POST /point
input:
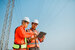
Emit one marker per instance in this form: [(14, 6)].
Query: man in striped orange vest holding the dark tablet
[(33, 45)]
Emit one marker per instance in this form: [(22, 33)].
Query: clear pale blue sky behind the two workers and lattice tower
[(56, 17)]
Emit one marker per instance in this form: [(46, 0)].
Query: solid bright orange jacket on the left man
[(20, 34)]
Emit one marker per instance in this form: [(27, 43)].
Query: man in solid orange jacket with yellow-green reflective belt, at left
[(20, 40)]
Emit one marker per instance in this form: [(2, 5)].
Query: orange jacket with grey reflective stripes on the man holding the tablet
[(34, 43)]
